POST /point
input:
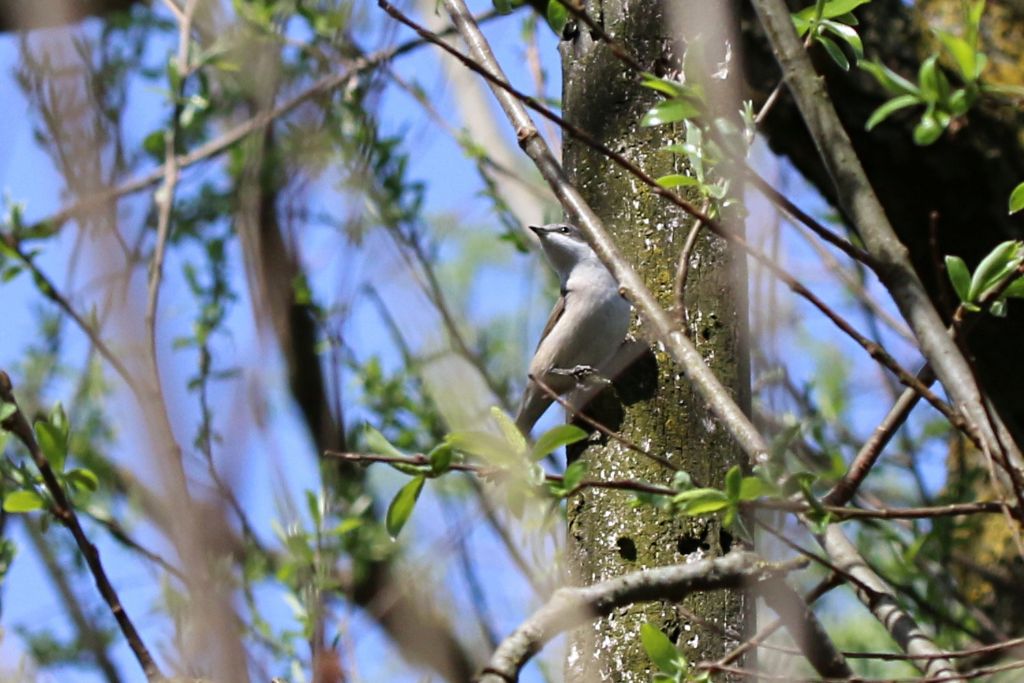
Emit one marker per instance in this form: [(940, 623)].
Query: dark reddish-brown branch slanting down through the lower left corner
[(65, 513)]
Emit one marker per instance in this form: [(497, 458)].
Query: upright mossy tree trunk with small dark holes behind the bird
[(657, 407)]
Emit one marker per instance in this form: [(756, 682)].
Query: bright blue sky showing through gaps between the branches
[(268, 471)]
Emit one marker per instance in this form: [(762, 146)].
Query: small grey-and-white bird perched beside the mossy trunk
[(586, 328)]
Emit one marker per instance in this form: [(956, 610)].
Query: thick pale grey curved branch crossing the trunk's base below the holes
[(572, 607)]
